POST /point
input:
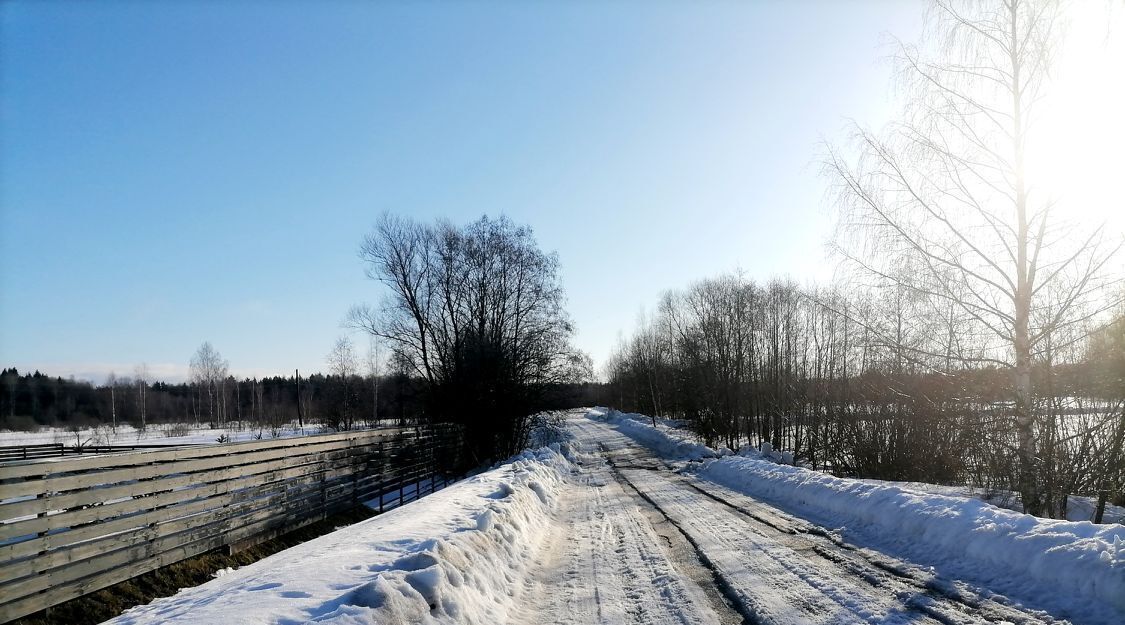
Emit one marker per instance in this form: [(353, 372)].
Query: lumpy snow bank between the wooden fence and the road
[(458, 556)]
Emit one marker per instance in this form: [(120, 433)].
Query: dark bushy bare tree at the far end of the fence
[(476, 313)]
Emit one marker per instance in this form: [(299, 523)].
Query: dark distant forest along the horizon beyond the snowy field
[(32, 401)]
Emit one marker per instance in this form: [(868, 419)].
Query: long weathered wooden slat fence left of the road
[(71, 527)]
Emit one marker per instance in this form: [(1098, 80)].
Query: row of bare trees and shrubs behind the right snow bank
[(854, 383)]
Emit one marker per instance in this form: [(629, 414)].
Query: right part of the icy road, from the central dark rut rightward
[(785, 569)]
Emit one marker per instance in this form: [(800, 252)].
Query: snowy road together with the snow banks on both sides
[(618, 522)]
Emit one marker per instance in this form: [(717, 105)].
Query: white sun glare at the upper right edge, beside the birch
[(1077, 149)]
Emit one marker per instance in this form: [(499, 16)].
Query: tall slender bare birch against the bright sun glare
[(946, 193)]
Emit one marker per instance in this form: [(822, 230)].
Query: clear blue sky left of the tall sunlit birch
[(178, 173)]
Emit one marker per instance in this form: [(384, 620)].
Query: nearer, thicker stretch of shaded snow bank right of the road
[(988, 544)]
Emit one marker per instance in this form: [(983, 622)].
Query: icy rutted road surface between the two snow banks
[(770, 567)]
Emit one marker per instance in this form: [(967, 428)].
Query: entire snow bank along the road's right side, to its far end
[(1056, 561)]
